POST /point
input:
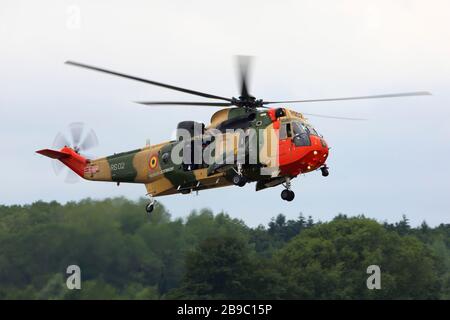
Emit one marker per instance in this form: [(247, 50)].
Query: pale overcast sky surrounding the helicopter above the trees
[(396, 163)]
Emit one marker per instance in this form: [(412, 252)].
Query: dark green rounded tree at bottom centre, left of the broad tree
[(226, 268)]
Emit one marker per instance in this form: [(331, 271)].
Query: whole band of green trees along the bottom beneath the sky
[(124, 254)]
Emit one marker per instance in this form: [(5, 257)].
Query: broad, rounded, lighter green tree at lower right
[(329, 261)]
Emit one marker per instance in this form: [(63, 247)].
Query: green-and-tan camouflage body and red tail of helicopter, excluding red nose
[(154, 166)]
